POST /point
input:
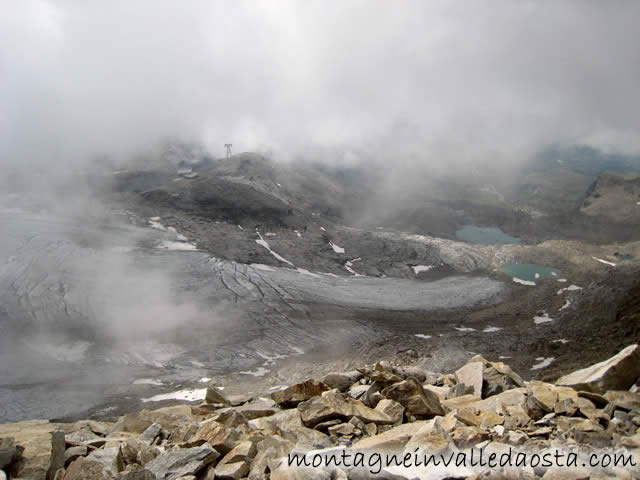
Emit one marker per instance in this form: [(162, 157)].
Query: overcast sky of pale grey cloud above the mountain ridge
[(440, 82)]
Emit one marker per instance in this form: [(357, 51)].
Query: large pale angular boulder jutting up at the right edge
[(617, 373)]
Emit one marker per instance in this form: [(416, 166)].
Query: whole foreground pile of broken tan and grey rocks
[(373, 410)]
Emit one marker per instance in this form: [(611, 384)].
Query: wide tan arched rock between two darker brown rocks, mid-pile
[(333, 405)]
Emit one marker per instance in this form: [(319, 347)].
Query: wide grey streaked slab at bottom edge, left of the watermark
[(179, 462)]
